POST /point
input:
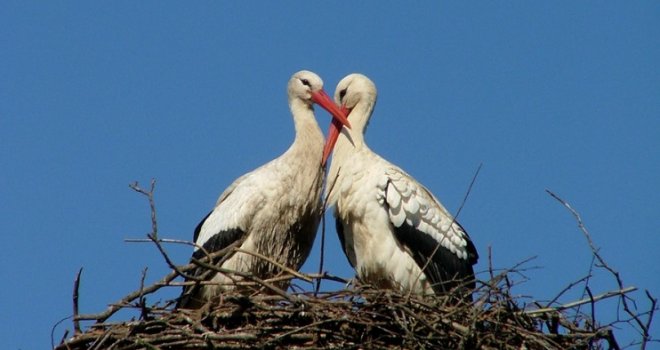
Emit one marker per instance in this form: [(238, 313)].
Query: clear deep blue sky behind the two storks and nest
[(93, 96)]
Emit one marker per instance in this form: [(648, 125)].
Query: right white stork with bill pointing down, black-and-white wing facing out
[(394, 232)]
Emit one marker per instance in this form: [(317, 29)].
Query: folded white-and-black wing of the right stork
[(426, 228)]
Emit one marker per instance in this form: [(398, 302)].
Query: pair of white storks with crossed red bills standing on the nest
[(394, 232)]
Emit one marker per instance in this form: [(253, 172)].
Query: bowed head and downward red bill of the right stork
[(356, 94)]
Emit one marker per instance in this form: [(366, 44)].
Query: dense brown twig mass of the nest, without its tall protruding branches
[(357, 318)]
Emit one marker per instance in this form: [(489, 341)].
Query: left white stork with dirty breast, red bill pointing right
[(275, 208)]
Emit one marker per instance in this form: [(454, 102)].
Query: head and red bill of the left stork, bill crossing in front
[(306, 86)]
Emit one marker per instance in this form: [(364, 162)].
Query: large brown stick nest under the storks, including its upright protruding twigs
[(358, 317)]
